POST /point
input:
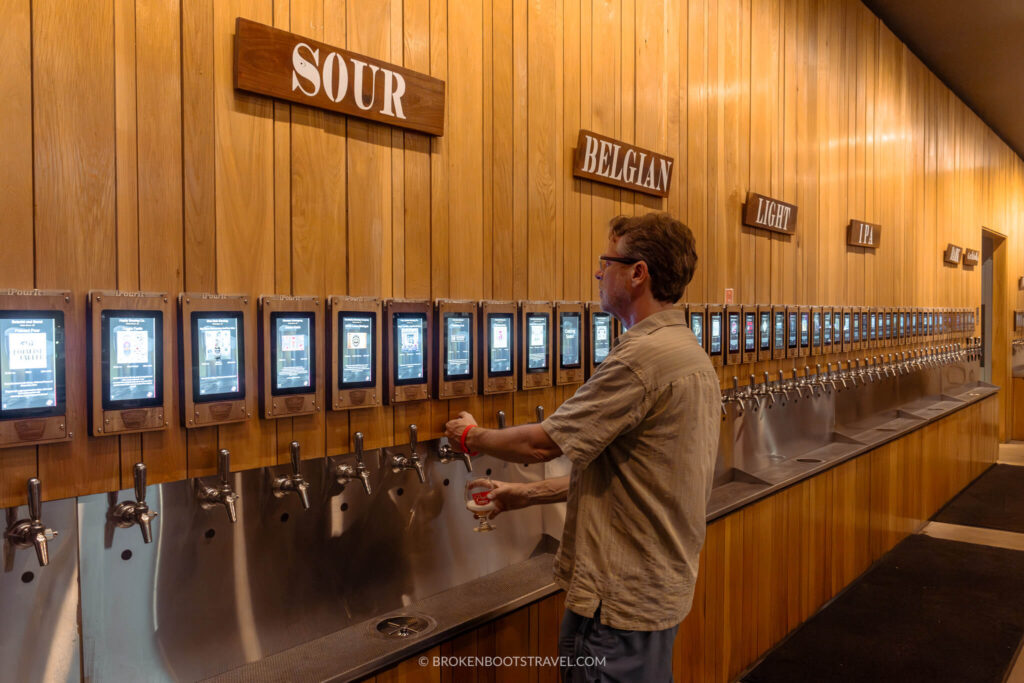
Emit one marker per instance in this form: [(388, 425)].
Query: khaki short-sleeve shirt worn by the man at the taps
[(643, 437)]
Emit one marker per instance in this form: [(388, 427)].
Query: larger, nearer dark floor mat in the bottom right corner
[(930, 611)]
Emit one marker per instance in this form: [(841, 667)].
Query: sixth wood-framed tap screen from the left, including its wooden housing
[(408, 359)]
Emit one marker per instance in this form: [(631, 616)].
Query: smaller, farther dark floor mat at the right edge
[(996, 500)]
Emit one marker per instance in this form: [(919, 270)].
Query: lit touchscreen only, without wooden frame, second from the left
[(133, 359)]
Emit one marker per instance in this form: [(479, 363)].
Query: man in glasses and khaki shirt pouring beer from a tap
[(643, 437)]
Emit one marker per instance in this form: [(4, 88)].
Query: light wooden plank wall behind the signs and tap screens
[(124, 120)]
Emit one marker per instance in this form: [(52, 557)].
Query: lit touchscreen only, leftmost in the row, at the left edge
[(32, 362)]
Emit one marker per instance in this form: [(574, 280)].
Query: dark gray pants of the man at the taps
[(630, 657)]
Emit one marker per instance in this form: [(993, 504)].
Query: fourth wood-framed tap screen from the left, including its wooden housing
[(291, 331)]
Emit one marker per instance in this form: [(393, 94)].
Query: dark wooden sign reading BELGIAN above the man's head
[(615, 163)]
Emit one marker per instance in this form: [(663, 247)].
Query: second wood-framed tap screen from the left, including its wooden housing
[(123, 325)]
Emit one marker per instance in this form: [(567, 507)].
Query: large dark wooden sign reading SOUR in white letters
[(275, 63)]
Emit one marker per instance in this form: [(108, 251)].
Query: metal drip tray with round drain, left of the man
[(364, 649)]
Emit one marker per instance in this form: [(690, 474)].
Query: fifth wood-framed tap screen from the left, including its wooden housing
[(354, 332)]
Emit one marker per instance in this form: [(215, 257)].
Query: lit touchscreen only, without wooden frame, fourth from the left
[(292, 354)]
